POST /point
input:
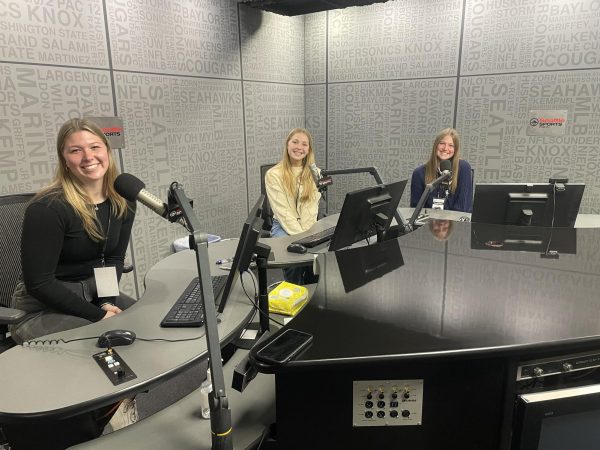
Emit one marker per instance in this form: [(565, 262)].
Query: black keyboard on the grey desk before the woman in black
[(187, 310)]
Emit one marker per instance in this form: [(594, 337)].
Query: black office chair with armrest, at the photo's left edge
[(12, 210)]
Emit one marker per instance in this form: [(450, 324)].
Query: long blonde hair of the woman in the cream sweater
[(290, 182)]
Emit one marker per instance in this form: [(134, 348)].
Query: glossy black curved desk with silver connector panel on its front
[(449, 322)]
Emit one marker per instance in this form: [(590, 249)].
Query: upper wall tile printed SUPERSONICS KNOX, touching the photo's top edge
[(394, 40)]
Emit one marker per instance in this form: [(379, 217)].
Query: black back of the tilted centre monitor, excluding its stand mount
[(355, 208)]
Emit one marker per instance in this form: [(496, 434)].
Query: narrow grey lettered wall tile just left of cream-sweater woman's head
[(272, 110)]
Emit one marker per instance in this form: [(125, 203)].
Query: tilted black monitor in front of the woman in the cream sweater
[(367, 212)]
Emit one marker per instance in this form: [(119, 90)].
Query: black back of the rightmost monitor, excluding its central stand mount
[(491, 203)]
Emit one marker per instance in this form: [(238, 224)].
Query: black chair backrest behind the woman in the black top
[(12, 210)]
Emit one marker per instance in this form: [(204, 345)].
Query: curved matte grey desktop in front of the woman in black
[(56, 381)]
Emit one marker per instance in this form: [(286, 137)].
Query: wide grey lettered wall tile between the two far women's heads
[(387, 124)]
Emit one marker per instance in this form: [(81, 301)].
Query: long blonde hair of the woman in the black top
[(67, 185)]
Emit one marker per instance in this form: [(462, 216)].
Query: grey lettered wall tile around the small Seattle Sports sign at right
[(493, 115)]
